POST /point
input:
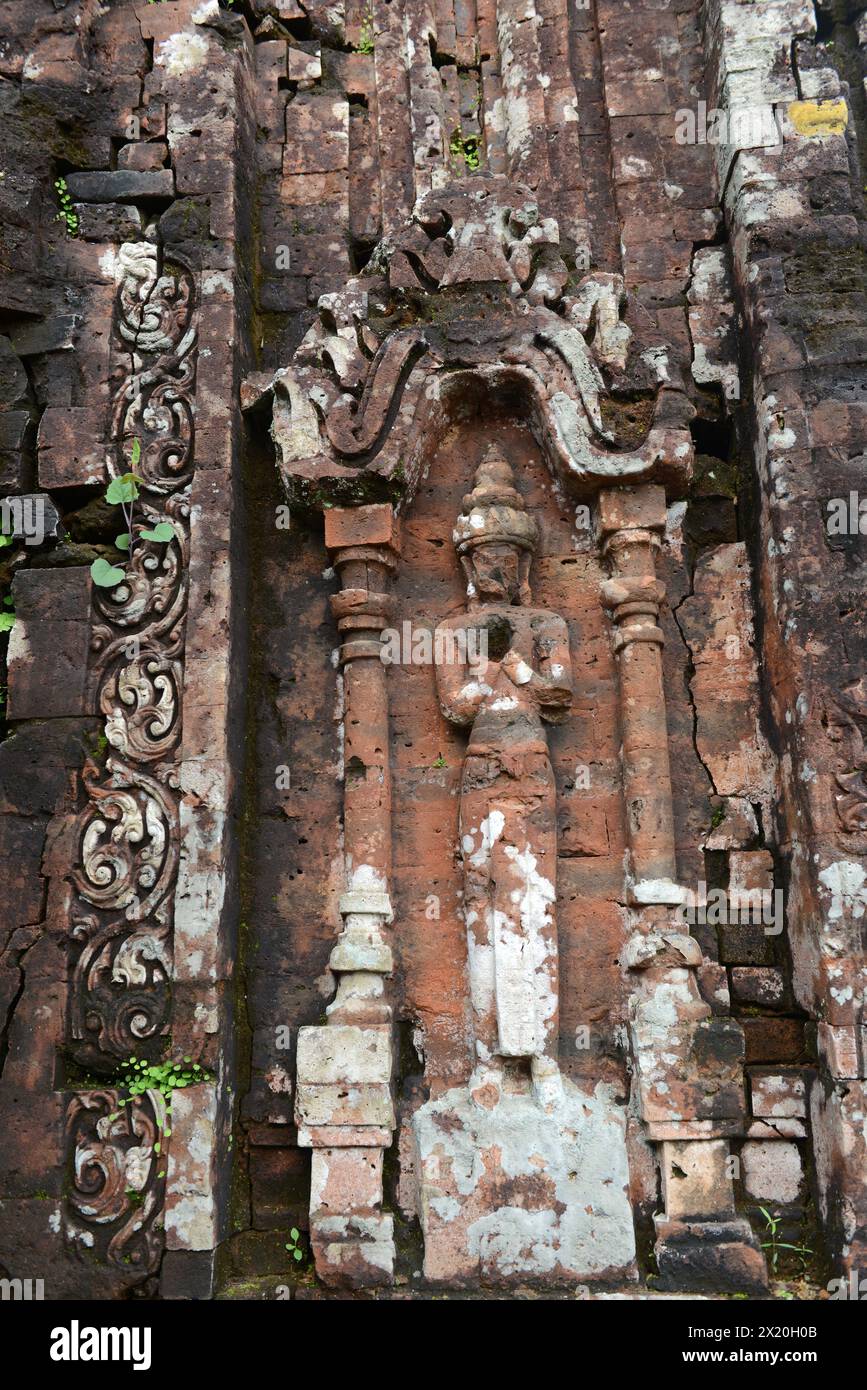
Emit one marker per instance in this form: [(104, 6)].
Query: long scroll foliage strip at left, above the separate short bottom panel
[(129, 829)]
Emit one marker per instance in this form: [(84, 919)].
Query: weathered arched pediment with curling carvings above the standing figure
[(474, 293)]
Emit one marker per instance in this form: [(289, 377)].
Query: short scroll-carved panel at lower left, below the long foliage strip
[(116, 1186)]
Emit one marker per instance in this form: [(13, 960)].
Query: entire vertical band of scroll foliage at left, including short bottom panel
[(129, 829)]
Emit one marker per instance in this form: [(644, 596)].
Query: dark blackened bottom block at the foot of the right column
[(709, 1257)]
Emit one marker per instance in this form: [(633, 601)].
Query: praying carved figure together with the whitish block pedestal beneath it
[(522, 1175)]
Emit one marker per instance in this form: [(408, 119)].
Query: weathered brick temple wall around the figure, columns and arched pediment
[(256, 155)]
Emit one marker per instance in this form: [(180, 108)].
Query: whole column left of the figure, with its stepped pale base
[(344, 1100)]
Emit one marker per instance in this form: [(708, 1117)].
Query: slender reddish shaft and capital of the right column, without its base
[(631, 522)]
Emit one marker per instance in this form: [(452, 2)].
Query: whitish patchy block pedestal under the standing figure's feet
[(525, 1191)]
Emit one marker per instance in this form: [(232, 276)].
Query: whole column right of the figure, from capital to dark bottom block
[(688, 1065)]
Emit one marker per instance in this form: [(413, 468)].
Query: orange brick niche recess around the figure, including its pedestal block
[(511, 1188)]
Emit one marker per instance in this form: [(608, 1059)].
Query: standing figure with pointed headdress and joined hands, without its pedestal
[(508, 807)]
